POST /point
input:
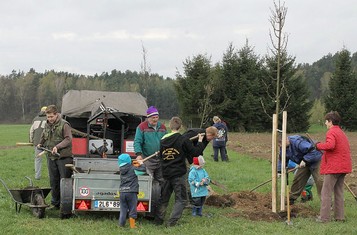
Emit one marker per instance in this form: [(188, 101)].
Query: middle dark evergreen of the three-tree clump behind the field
[(240, 75)]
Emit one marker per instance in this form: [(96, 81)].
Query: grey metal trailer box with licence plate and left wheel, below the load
[(94, 186)]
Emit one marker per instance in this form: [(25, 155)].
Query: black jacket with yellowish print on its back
[(174, 149)]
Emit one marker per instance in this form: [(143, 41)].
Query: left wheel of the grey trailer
[(66, 197)]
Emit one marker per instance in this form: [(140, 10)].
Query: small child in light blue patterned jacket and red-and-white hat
[(198, 179)]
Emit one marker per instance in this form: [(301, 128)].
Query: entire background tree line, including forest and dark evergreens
[(240, 89)]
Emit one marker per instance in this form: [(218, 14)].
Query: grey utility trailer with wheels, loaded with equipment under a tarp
[(104, 125)]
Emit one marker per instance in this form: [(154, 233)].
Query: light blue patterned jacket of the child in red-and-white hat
[(194, 178)]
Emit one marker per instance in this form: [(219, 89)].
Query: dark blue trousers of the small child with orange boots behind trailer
[(128, 202)]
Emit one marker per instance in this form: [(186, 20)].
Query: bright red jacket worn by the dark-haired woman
[(337, 156)]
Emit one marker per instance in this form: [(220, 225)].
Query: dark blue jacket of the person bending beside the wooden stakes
[(301, 148)]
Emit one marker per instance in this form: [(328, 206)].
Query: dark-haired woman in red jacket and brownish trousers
[(335, 164)]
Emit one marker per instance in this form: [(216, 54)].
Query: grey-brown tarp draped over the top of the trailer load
[(85, 103)]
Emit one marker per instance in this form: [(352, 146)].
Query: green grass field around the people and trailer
[(242, 173)]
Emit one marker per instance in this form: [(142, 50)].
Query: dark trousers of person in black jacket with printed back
[(178, 186)]
